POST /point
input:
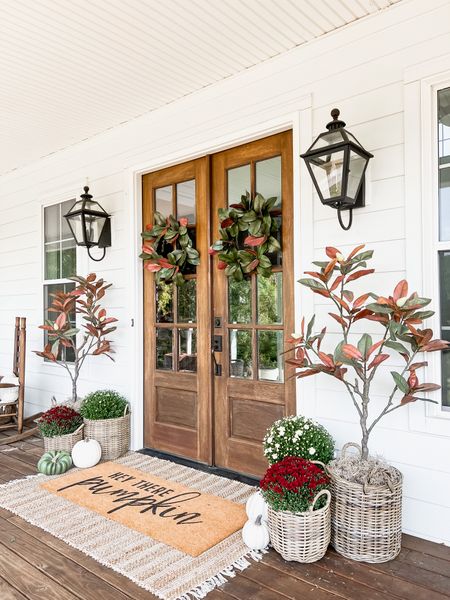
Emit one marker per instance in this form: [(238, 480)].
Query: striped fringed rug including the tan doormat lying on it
[(180, 567)]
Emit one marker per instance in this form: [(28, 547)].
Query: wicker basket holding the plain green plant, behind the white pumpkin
[(113, 435)]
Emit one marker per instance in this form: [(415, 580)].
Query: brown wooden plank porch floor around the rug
[(35, 565)]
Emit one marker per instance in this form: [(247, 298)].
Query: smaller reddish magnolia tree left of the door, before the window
[(84, 300)]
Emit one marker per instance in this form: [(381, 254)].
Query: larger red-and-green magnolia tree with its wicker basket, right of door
[(366, 508)]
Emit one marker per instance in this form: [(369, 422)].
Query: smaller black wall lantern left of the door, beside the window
[(90, 224)]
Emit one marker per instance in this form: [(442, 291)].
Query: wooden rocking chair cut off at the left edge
[(11, 414)]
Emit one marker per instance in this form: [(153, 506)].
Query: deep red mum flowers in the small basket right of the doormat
[(293, 483)]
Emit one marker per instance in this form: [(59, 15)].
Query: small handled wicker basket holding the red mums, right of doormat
[(303, 537)]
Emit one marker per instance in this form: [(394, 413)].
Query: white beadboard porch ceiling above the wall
[(71, 69)]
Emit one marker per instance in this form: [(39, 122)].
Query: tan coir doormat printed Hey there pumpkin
[(167, 511)]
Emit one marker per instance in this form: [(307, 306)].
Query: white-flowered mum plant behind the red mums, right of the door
[(298, 436)]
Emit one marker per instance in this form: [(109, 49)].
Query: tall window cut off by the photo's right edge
[(443, 181)]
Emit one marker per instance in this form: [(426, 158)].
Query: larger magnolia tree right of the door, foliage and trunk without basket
[(400, 316)]
